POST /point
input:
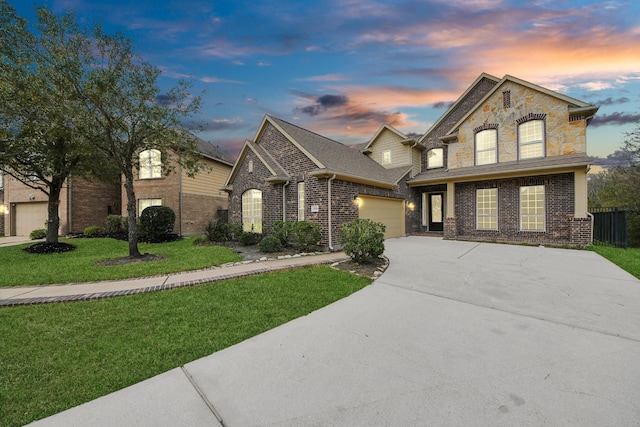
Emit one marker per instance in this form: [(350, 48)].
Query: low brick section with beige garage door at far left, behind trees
[(82, 203)]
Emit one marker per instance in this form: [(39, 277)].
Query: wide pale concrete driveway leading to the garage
[(454, 333)]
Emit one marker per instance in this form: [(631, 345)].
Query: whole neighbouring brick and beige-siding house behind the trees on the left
[(83, 203)]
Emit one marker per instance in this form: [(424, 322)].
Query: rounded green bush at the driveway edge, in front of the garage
[(362, 239)]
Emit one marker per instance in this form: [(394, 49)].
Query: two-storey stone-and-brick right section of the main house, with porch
[(514, 166)]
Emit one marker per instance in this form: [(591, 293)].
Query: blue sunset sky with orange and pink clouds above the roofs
[(342, 68)]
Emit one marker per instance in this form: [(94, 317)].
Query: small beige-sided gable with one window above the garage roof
[(392, 149)]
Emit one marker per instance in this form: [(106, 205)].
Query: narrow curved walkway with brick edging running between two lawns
[(27, 295)]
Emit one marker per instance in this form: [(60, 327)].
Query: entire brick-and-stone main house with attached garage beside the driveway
[(506, 162)]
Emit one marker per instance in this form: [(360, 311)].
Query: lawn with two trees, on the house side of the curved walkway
[(21, 268)]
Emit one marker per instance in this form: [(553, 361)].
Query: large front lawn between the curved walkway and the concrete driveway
[(57, 356)]
